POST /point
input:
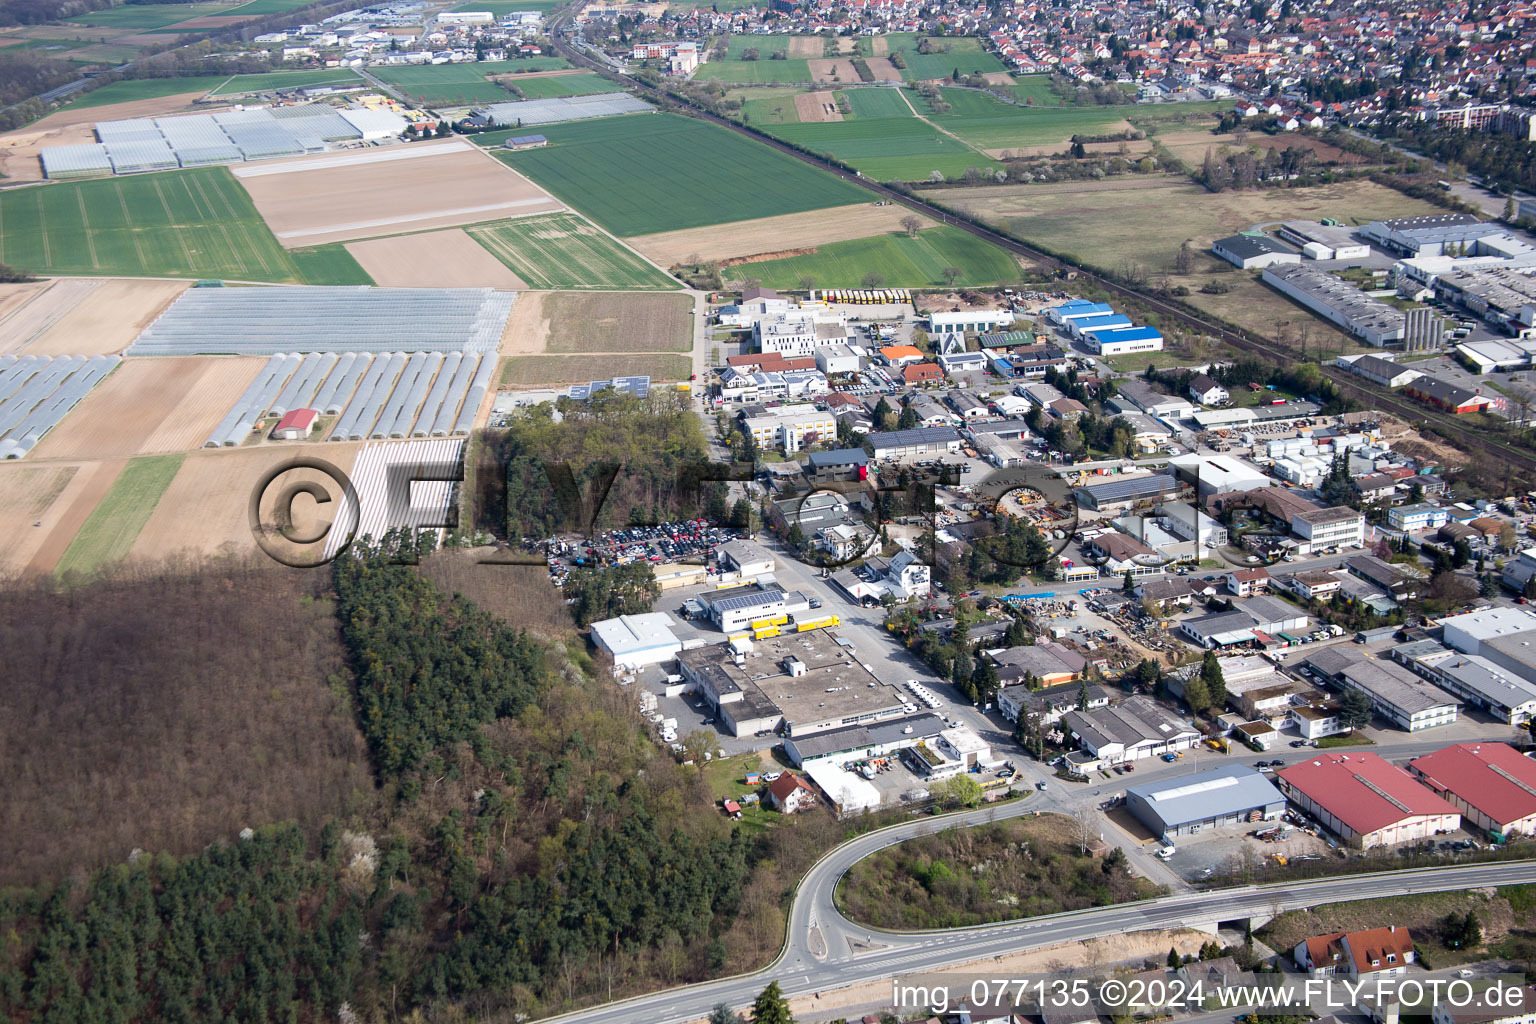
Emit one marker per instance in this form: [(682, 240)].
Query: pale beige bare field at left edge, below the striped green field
[(88, 317)]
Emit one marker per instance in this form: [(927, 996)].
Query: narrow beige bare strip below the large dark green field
[(773, 234)]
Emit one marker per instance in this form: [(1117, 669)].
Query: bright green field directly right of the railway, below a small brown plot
[(887, 148)]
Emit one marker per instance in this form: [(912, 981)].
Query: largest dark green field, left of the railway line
[(655, 173)]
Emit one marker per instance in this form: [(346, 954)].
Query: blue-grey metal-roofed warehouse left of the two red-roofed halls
[(1225, 796)]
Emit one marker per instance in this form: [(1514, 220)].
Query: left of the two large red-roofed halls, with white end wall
[(1366, 802)]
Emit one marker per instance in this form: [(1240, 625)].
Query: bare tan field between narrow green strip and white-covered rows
[(205, 510)]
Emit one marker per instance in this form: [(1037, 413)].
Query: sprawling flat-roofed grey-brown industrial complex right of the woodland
[(801, 682)]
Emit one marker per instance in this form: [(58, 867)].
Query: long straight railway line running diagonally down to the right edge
[(1254, 345)]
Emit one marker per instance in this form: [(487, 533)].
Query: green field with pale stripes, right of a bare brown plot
[(561, 251)]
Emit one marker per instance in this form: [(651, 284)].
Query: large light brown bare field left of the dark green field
[(345, 197)]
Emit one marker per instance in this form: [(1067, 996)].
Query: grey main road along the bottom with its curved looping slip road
[(826, 951)]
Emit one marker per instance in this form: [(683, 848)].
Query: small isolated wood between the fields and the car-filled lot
[(634, 448)]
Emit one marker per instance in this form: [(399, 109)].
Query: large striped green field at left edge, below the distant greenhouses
[(179, 223)]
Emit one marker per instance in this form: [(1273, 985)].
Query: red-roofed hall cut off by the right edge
[(1491, 784)]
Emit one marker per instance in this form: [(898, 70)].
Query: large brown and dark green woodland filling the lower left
[(448, 814)]
